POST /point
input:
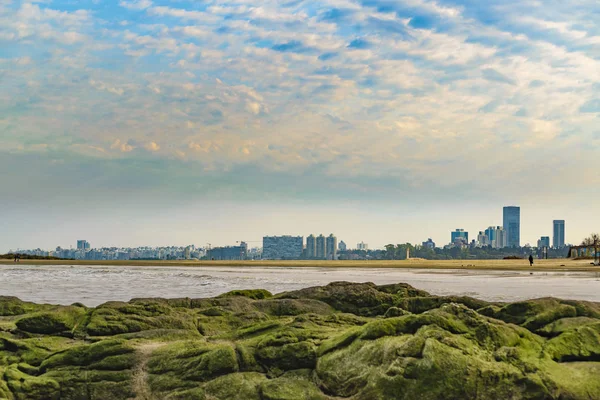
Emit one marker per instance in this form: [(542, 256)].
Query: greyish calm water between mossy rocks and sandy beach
[(93, 285)]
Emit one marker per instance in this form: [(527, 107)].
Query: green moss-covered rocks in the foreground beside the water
[(343, 340)]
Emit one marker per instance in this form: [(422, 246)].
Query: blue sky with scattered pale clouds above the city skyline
[(180, 122)]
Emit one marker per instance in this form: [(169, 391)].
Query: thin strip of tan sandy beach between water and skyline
[(556, 265)]
